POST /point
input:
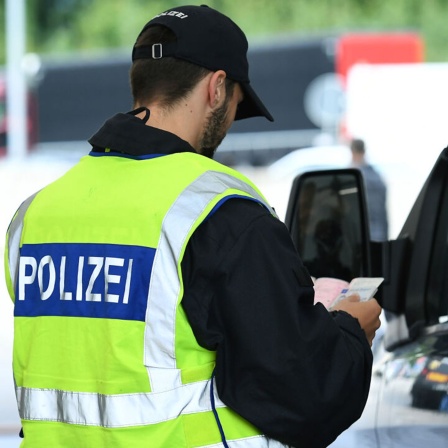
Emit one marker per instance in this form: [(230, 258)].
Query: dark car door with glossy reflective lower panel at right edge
[(413, 393)]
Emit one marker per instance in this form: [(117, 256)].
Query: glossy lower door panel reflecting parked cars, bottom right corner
[(413, 402)]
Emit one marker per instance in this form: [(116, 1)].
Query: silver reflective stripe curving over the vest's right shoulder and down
[(165, 284)]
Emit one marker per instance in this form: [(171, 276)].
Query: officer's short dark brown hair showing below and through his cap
[(166, 79)]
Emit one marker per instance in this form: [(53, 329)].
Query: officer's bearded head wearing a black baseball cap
[(185, 46)]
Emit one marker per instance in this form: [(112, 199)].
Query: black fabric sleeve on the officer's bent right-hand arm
[(294, 370)]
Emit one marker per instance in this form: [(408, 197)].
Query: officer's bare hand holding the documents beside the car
[(367, 313)]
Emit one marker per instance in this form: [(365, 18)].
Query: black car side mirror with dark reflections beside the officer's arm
[(327, 220)]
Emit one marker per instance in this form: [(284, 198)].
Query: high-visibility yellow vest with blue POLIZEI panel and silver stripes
[(103, 353)]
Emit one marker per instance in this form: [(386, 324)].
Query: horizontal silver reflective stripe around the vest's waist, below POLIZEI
[(113, 411)]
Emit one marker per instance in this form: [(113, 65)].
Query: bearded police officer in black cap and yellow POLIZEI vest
[(159, 301)]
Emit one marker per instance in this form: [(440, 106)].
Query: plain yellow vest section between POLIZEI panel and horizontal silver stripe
[(81, 359)]
